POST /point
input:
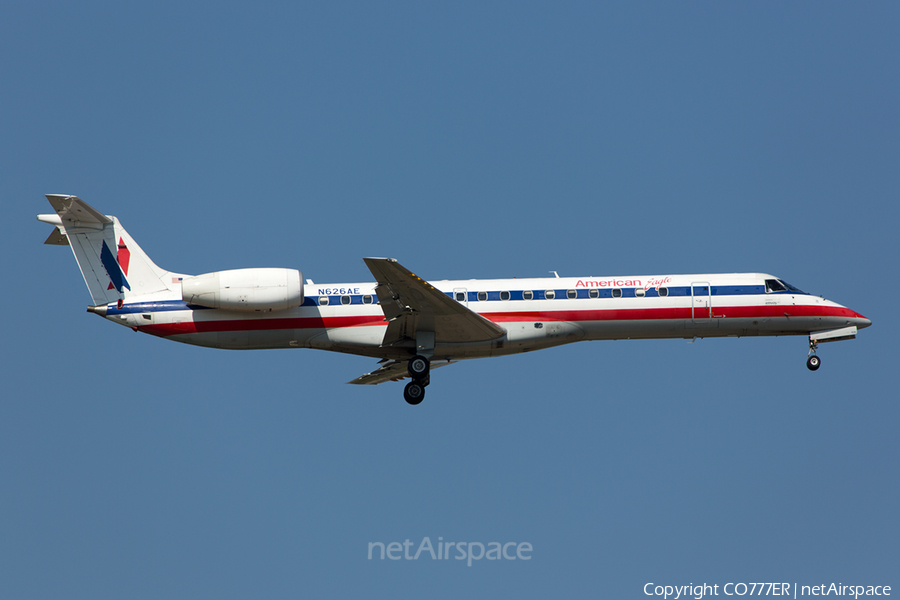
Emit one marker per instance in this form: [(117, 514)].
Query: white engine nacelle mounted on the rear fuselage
[(245, 289)]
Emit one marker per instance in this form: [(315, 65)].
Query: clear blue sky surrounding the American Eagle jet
[(467, 141)]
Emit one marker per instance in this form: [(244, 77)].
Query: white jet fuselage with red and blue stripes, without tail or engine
[(535, 313)]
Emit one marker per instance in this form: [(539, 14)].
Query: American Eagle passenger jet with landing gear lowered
[(413, 325)]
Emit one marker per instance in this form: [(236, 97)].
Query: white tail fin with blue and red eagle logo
[(114, 267)]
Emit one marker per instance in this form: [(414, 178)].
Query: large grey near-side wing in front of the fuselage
[(412, 305)]
